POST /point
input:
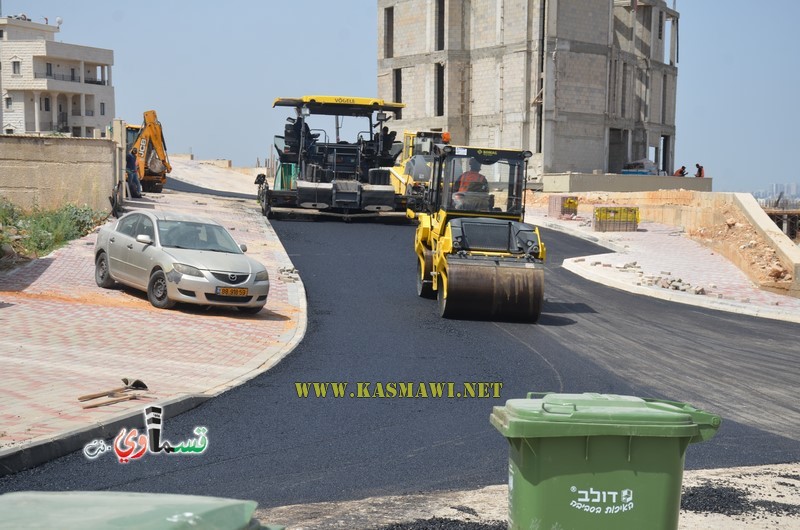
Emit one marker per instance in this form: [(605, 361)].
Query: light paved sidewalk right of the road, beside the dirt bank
[(656, 253)]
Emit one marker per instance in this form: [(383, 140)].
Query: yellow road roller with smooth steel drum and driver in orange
[(474, 252)]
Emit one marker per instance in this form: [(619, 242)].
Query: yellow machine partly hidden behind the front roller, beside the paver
[(411, 175)]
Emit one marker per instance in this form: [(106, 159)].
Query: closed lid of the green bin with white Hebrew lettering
[(590, 414)]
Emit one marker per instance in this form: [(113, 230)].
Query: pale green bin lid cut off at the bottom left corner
[(114, 509)]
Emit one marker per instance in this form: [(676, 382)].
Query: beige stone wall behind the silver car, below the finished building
[(50, 172)]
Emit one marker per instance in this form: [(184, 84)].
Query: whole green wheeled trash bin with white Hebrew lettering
[(594, 461)]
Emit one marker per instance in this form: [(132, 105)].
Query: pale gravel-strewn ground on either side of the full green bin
[(726, 499)]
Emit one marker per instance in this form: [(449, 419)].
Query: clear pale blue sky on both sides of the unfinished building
[(212, 69)]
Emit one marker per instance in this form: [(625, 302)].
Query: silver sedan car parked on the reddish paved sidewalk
[(179, 258)]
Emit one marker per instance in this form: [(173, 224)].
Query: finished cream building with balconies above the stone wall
[(48, 86)]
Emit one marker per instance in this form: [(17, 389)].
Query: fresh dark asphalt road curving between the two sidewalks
[(367, 325)]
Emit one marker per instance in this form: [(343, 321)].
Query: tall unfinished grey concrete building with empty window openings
[(586, 85)]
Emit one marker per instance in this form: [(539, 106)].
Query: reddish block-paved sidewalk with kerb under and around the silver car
[(65, 337)]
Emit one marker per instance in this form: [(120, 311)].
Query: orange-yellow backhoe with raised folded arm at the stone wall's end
[(151, 152)]
